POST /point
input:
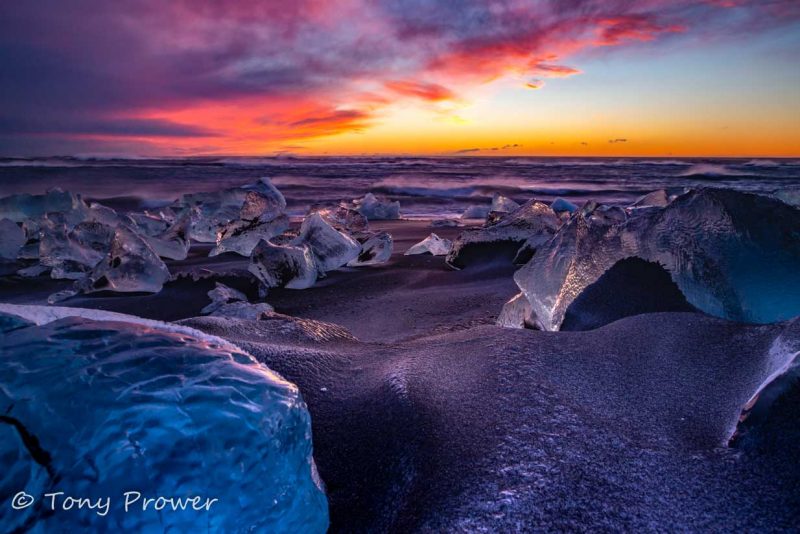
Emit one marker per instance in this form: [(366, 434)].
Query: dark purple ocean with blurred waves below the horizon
[(425, 187)]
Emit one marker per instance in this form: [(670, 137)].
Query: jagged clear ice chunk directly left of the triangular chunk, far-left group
[(73, 253)]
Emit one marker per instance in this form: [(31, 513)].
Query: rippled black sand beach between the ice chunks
[(429, 418)]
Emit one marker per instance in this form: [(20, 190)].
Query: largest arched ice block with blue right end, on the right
[(733, 255)]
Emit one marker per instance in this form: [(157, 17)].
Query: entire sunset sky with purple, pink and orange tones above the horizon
[(354, 77)]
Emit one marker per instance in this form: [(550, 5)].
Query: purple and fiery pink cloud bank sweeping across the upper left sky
[(178, 75)]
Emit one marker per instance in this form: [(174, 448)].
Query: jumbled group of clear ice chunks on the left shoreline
[(102, 250)]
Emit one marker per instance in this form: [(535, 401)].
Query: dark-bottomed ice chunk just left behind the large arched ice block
[(530, 225)]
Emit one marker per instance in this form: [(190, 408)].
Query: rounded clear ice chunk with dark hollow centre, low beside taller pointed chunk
[(288, 266)]
